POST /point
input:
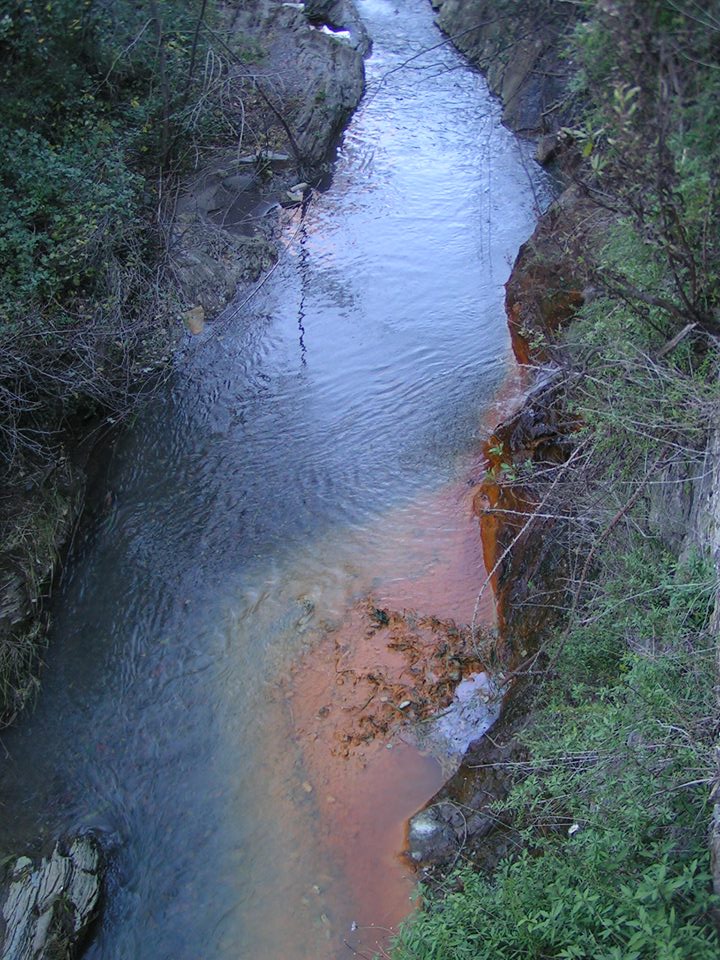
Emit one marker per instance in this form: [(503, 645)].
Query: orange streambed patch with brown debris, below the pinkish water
[(349, 699)]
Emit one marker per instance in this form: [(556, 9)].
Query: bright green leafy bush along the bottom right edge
[(578, 904)]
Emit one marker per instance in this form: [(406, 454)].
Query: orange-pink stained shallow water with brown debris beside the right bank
[(395, 656)]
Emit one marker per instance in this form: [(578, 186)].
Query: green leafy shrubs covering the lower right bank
[(612, 815)]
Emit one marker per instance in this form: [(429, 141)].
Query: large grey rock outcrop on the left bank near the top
[(298, 100)]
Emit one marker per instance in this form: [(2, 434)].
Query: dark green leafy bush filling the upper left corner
[(97, 112)]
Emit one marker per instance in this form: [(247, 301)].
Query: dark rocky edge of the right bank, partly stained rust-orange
[(520, 55)]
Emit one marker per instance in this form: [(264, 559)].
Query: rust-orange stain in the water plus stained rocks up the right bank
[(403, 644)]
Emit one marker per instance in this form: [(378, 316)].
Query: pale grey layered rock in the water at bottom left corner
[(47, 908)]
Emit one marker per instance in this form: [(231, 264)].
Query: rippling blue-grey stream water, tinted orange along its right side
[(314, 447)]
